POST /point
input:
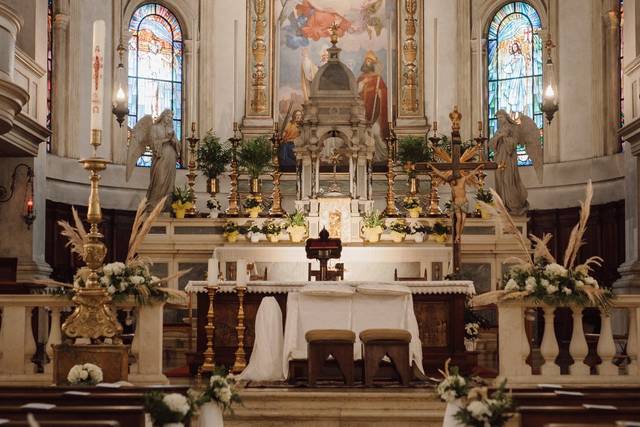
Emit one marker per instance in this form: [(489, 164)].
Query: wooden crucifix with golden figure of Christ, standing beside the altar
[(458, 170)]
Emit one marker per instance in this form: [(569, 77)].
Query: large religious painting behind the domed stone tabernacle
[(363, 29)]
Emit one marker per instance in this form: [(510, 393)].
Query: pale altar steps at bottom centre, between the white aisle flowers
[(333, 407)]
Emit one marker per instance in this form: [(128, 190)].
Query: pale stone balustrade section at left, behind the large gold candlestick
[(18, 345)]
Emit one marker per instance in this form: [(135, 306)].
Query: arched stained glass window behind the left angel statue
[(155, 67)]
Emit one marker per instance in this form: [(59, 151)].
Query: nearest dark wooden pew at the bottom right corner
[(536, 416)]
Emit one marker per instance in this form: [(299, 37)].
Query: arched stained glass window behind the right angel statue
[(514, 59)]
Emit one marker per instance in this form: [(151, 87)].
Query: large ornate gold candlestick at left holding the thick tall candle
[(93, 317)]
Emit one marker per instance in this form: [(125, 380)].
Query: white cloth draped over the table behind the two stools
[(355, 312)]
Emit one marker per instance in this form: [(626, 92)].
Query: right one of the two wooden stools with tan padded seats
[(390, 342)]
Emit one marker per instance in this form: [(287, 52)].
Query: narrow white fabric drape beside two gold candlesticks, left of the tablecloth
[(266, 359)]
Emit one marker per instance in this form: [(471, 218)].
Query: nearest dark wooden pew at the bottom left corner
[(130, 416)]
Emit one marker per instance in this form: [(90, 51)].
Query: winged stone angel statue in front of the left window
[(160, 137)]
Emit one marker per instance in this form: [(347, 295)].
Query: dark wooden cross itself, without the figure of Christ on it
[(458, 163)]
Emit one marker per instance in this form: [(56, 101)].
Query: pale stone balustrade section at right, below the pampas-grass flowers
[(514, 347)]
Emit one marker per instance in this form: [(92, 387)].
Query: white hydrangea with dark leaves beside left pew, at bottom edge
[(168, 410)]
